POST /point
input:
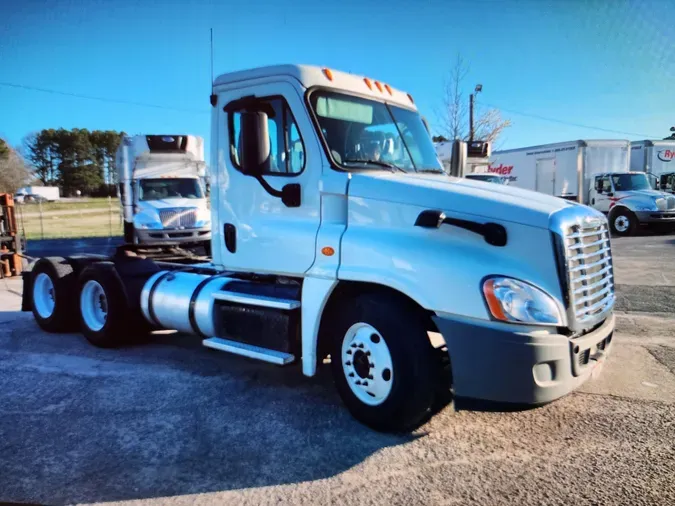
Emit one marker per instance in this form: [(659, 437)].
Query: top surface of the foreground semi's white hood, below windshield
[(487, 200)]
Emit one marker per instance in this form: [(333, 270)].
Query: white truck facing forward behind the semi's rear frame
[(161, 181)]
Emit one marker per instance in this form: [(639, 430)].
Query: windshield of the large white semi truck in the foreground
[(366, 134)]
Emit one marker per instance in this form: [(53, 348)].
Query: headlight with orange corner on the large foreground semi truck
[(514, 301)]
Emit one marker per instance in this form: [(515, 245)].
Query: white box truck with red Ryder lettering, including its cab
[(592, 172)]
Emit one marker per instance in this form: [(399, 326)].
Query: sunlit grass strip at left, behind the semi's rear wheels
[(55, 226)]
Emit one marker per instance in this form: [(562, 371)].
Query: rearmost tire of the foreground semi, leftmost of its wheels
[(53, 290)]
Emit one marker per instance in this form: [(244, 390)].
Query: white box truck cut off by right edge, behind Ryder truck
[(656, 158)]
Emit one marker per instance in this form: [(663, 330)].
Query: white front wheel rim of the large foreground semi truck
[(367, 364)]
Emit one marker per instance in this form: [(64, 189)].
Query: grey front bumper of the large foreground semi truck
[(499, 362)]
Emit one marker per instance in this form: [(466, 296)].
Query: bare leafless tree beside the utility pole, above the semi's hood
[(454, 119)]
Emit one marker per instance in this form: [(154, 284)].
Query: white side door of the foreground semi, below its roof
[(257, 231)]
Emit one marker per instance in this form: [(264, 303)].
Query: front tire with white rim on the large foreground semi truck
[(383, 364)]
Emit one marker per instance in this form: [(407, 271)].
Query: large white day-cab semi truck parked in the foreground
[(325, 253)]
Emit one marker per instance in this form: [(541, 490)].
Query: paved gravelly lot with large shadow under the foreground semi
[(170, 422)]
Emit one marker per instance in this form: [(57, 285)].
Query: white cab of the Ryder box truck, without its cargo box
[(628, 198)]
